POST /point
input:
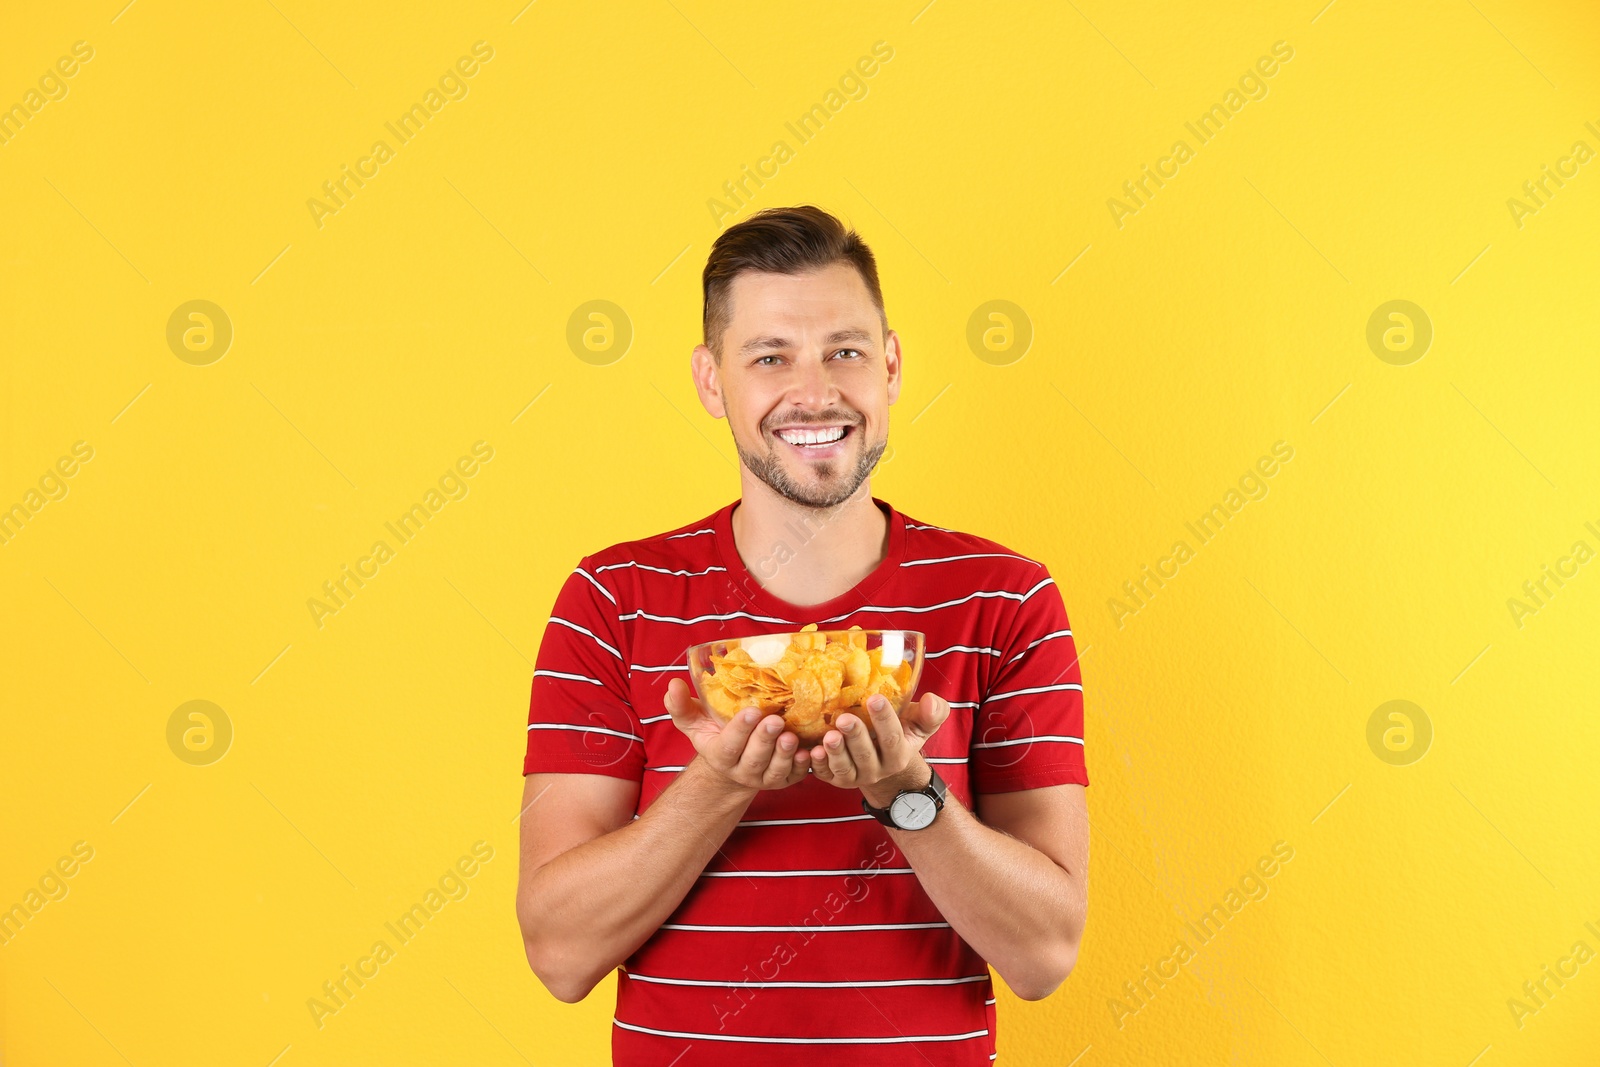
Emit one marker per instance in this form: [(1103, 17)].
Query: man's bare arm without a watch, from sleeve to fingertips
[(596, 884)]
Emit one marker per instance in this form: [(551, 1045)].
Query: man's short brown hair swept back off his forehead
[(780, 241)]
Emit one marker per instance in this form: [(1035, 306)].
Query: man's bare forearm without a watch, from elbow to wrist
[(593, 906)]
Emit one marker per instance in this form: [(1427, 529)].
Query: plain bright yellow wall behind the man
[(428, 314)]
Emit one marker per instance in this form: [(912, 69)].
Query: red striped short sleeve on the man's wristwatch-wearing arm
[(1028, 730)]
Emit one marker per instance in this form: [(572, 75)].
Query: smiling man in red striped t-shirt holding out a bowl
[(754, 909)]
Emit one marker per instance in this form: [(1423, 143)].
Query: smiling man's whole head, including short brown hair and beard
[(798, 345)]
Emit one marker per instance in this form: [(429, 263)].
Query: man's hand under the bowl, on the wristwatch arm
[(850, 759)]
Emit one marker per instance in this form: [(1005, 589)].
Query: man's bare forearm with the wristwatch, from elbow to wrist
[(1009, 901)]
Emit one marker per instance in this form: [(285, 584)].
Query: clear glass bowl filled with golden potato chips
[(810, 676)]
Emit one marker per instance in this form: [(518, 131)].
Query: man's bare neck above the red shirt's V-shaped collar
[(809, 556)]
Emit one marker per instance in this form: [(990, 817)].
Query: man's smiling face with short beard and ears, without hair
[(804, 359)]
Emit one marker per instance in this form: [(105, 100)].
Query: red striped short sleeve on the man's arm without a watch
[(580, 719)]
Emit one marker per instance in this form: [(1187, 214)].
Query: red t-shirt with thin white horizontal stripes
[(809, 935)]
